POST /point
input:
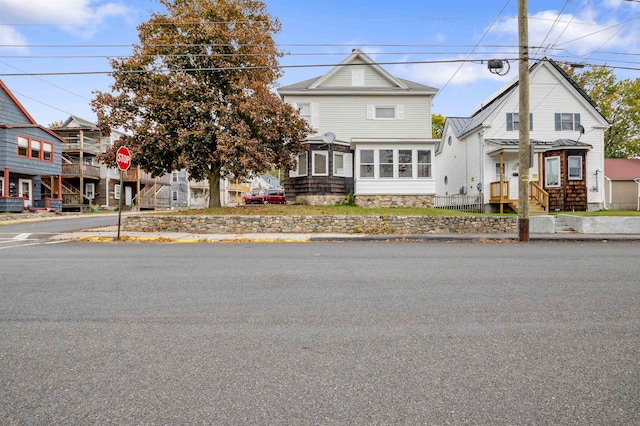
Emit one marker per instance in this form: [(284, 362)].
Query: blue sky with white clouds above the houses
[(419, 40)]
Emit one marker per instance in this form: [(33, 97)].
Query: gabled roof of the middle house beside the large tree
[(315, 84)]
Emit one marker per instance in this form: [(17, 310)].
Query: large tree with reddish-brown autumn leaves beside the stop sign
[(196, 93)]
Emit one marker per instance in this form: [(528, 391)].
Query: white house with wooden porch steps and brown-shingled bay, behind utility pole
[(480, 154)]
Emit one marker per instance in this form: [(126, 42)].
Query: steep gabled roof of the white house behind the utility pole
[(493, 103)]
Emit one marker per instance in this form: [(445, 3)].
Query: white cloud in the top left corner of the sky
[(75, 16)]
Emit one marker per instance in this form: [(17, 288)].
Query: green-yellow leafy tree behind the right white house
[(619, 102)]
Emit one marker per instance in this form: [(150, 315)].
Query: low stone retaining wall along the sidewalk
[(321, 224)]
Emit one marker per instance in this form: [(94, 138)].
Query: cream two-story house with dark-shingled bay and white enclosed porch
[(372, 137)]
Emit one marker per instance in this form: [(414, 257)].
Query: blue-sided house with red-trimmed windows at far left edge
[(30, 160)]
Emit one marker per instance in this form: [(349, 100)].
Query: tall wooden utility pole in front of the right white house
[(523, 116)]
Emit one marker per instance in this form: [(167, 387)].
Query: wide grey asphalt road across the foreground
[(321, 333)]
